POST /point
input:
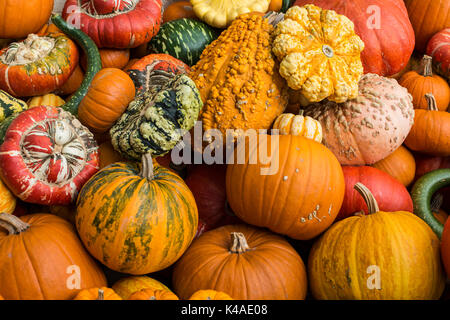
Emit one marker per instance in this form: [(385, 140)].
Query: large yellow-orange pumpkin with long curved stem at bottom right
[(383, 255)]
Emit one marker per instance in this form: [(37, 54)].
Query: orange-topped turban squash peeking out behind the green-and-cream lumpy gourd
[(152, 65)]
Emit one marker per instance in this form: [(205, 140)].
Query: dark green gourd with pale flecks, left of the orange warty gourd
[(184, 39)]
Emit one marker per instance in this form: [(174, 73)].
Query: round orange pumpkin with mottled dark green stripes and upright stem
[(136, 219)]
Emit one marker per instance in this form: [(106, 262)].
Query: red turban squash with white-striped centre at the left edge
[(47, 156)]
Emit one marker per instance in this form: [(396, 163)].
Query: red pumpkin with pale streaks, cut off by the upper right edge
[(439, 49)]
